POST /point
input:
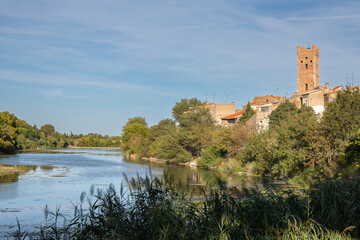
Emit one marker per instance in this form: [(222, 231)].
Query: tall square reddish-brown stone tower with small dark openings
[(308, 69)]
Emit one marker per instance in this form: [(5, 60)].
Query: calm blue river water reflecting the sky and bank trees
[(57, 179)]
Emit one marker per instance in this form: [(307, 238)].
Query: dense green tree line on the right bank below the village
[(299, 144)]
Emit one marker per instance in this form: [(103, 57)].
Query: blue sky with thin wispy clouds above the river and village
[(87, 66)]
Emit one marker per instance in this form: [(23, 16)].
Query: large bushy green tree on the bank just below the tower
[(283, 149)]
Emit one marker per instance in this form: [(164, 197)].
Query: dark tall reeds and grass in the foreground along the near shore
[(153, 208)]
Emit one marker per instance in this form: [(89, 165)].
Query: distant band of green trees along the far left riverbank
[(17, 134)]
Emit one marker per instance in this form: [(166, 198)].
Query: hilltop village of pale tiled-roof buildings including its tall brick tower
[(309, 93)]
